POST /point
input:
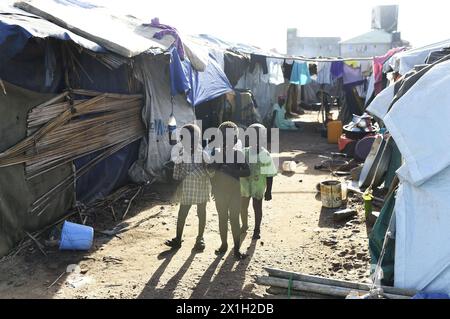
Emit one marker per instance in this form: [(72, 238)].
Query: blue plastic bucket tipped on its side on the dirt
[(76, 237)]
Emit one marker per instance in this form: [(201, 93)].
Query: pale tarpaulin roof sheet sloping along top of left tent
[(119, 33)]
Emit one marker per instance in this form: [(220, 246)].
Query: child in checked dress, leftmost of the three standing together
[(195, 186)]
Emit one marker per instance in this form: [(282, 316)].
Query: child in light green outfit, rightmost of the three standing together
[(259, 184)]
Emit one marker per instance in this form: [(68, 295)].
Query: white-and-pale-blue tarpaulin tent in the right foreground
[(422, 261)]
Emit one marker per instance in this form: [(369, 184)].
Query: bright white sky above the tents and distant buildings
[(263, 23)]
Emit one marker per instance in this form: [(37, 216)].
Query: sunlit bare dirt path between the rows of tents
[(297, 235)]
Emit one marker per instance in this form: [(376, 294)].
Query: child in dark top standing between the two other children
[(226, 187)]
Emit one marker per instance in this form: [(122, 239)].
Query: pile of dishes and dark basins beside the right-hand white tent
[(358, 137)]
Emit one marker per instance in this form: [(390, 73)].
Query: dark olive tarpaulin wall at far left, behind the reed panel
[(17, 193)]
